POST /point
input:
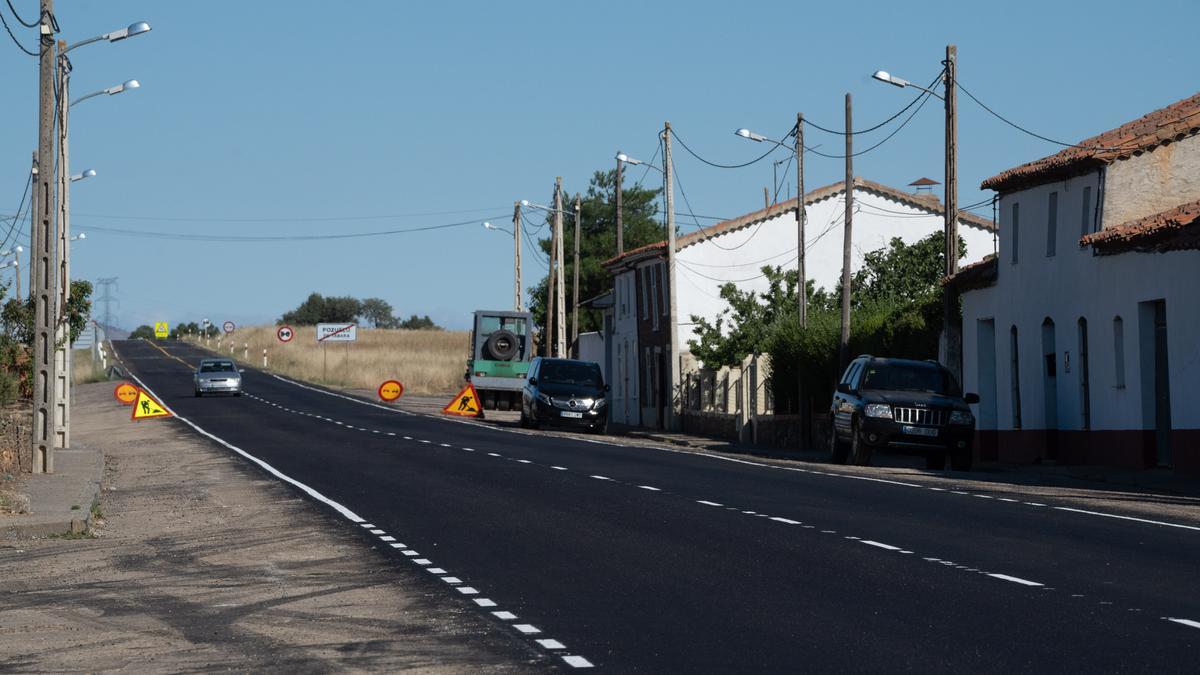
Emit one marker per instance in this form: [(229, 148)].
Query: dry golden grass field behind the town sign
[(425, 362)]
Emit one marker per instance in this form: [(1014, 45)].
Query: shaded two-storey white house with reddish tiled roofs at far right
[(1083, 334)]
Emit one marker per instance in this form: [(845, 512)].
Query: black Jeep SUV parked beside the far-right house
[(901, 404)]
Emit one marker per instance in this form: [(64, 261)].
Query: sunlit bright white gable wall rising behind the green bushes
[(739, 256)]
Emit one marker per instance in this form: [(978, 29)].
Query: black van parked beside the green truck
[(565, 392)]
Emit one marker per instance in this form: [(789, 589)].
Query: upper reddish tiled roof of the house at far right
[(1160, 128)]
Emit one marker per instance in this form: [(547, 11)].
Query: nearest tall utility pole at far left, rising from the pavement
[(43, 256)]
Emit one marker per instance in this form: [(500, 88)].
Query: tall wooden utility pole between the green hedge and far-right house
[(950, 296)]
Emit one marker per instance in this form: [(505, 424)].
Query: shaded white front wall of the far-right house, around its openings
[(1077, 284)]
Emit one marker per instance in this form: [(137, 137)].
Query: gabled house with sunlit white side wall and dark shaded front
[(735, 252)]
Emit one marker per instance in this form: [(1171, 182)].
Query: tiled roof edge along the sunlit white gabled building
[(927, 202)]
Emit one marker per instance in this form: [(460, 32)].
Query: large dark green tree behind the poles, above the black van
[(598, 240)]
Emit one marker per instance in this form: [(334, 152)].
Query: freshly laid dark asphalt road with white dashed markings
[(650, 560)]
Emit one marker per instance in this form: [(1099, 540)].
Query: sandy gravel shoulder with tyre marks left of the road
[(197, 561)]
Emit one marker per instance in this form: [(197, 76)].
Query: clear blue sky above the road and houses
[(273, 112)]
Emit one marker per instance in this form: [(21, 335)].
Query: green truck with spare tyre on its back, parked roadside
[(501, 350)]
